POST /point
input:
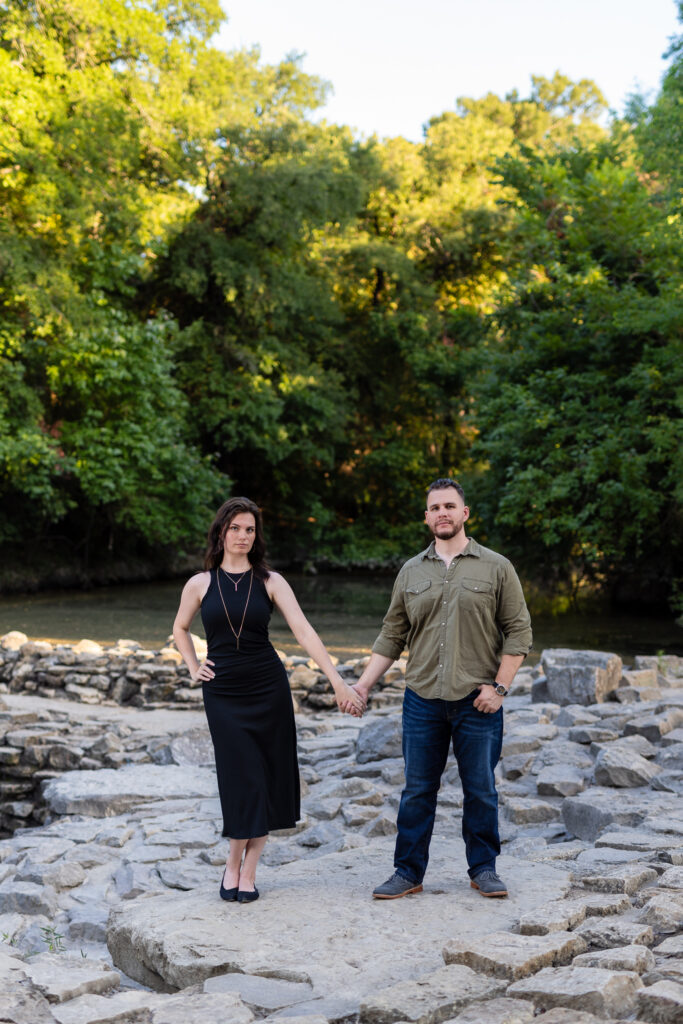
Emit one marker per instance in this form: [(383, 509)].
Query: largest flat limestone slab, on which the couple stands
[(176, 940)]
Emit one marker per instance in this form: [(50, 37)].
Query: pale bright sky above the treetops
[(395, 64)]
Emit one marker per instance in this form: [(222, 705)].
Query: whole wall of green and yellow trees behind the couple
[(205, 291)]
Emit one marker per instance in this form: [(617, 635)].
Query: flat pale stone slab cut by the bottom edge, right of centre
[(431, 999)]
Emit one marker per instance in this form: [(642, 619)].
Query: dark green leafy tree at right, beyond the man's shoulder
[(579, 400)]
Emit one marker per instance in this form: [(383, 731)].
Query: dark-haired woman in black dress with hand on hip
[(246, 691)]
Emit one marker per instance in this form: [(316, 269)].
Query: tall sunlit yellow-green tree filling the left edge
[(112, 117)]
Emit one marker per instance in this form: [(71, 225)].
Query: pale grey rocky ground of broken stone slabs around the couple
[(110, 911)]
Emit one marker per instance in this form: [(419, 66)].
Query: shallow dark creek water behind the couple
[(347, 612)]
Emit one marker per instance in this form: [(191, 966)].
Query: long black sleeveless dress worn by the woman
[(249, 709)]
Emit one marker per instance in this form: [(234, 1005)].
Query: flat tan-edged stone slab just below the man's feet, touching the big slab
[(514, 957)]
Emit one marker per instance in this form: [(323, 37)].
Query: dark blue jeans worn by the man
[(430, 727)]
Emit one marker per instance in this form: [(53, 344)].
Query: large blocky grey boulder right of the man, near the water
[(583, 677)]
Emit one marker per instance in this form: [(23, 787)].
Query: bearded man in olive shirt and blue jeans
[(460, 610)]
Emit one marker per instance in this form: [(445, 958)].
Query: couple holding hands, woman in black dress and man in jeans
[(468, 632)]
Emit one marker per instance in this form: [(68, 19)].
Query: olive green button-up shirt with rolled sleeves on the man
[(456, 622)]
